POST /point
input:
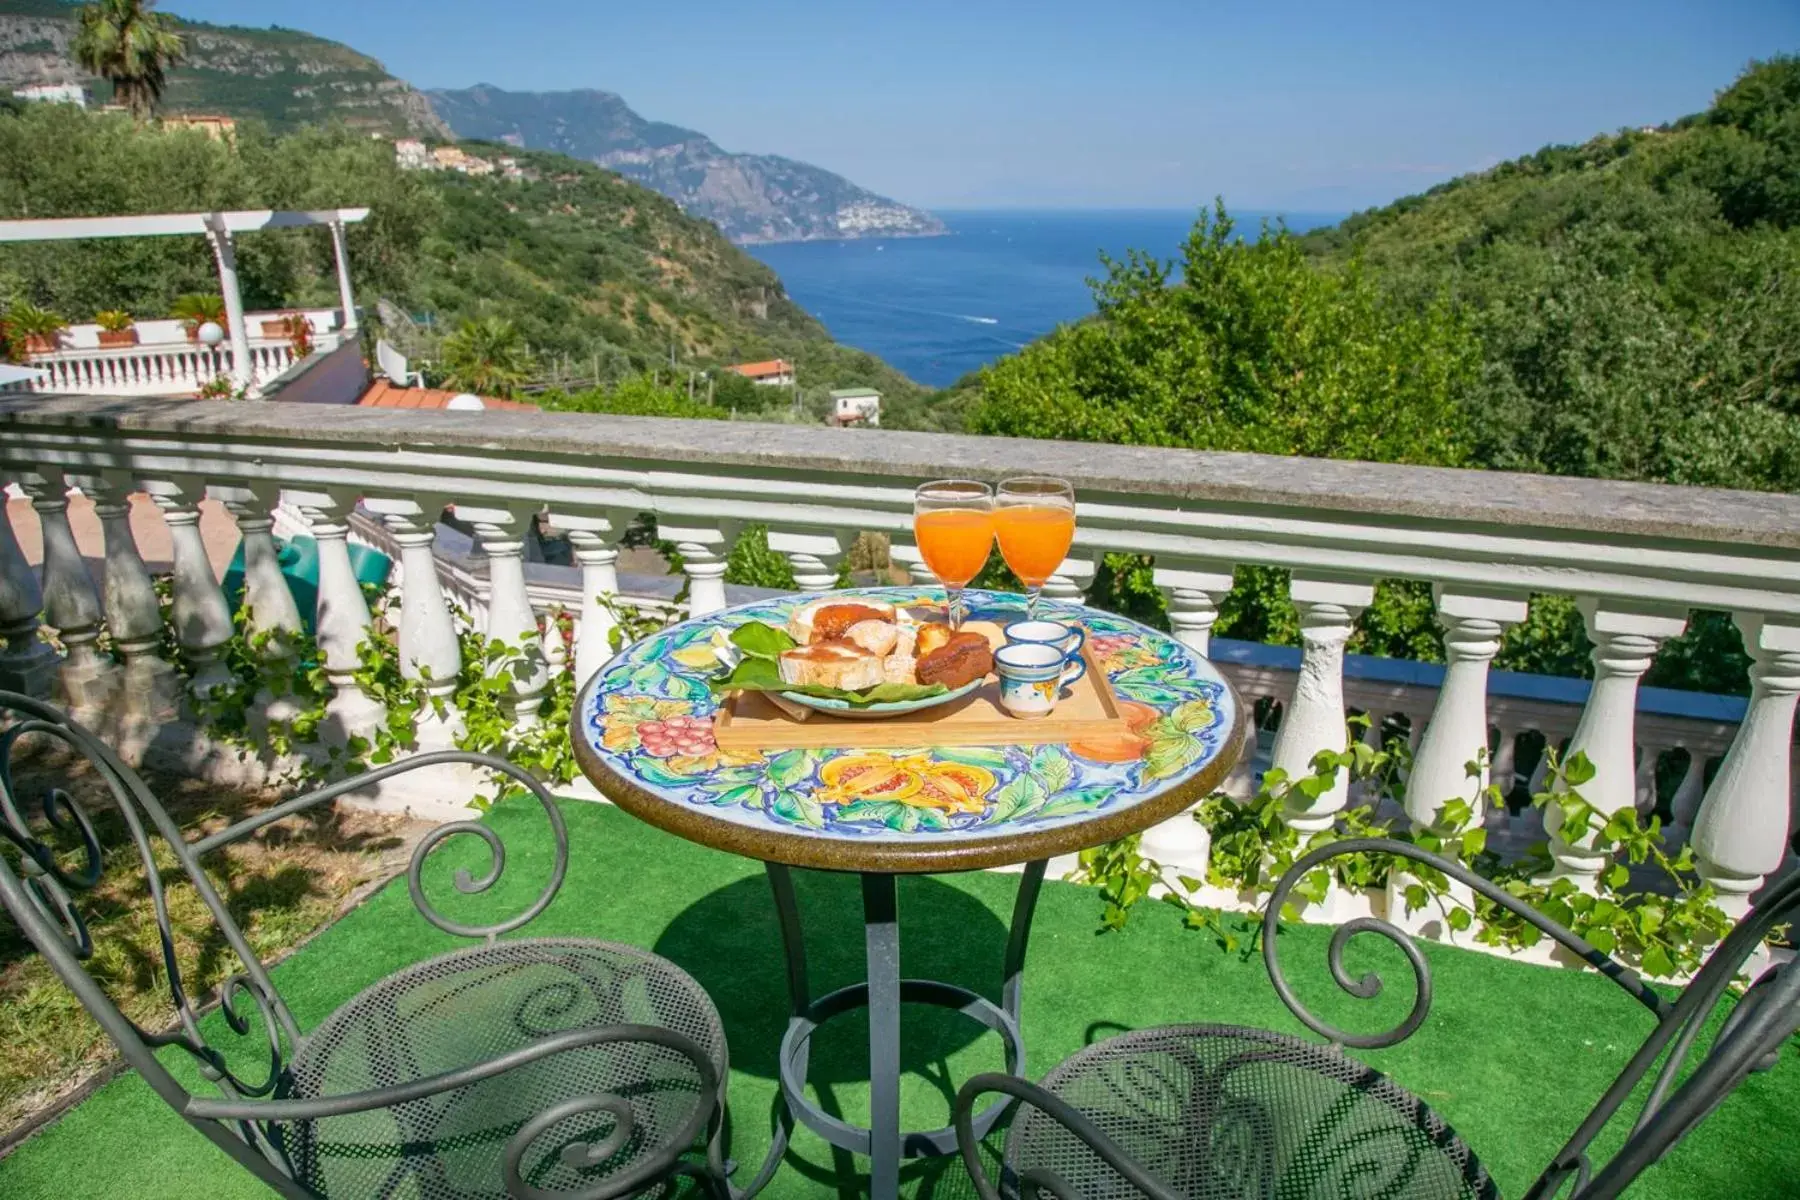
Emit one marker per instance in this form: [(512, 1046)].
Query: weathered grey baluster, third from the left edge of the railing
[(150, 690)]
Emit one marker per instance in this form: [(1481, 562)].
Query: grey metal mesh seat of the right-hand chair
[(1223, 1113)]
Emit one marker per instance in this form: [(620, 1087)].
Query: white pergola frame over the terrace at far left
[(219, 229)]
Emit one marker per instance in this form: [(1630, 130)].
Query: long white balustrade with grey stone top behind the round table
[(1639, 560)]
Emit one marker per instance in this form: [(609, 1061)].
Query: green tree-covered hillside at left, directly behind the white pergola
[(591, 269)]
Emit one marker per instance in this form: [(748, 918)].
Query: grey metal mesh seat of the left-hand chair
[(471, 1007)]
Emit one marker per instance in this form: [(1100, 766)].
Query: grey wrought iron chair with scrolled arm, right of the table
[(1225, 1113)]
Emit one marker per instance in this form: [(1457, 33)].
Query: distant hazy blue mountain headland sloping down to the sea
[(751, 197)]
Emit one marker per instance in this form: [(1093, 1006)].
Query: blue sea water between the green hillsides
[(937, 309)]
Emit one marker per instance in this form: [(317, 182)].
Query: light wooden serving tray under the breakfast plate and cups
[(1088, 712)]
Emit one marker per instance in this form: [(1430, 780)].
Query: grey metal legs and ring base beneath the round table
[(885, 1142)]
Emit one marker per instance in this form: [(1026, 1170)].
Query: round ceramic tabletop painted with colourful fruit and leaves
[(643, 733)]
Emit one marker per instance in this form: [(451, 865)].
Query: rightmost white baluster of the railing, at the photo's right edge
[(1743, 825)]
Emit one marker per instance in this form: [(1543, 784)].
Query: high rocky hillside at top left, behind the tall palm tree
[(282, 76)]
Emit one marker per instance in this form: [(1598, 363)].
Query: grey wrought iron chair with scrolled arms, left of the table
[(519, 1068)]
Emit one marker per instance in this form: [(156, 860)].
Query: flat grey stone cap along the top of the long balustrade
[(1216, 478)]
